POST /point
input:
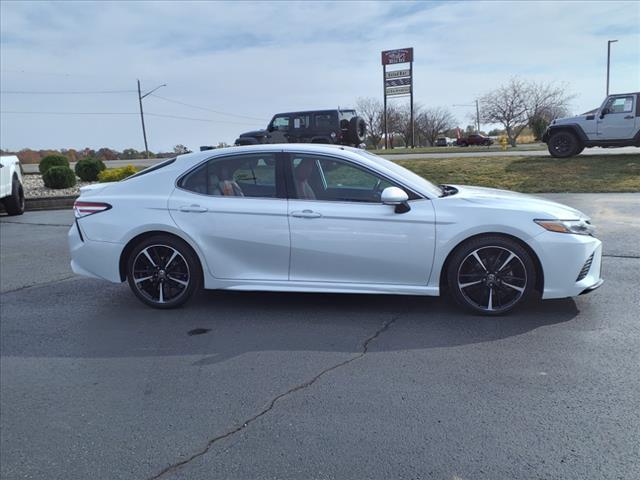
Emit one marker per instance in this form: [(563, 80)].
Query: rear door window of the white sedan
[(252, 175)]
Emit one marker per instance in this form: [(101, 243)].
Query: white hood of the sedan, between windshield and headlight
[(517, 201)]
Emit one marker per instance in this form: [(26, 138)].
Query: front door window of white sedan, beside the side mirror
[(328, 179)]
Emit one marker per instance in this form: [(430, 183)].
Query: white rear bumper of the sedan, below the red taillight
[(94, 259)]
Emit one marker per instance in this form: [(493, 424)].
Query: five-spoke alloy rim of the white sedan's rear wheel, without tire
[(160, 273)]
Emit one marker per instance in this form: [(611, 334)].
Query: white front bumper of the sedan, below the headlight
[(563, 256)]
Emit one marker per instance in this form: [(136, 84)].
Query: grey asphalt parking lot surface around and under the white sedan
[(94, 385)]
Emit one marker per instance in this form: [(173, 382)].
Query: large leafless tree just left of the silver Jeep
[(516, 104)]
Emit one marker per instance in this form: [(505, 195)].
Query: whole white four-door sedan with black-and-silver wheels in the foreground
[(314, 218)]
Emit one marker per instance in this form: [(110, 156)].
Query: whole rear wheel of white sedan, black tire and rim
[(164, 280)]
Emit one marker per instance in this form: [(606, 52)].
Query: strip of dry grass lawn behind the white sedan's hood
[(584, 173)]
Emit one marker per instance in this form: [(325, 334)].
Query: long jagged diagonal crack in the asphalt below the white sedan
[(301, 386)]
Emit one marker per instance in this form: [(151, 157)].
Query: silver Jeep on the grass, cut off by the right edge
[(615, 124)]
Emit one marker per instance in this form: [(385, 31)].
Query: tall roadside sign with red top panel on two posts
[(398, 83)]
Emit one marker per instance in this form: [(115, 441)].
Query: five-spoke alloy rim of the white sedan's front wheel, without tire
[(492, 279)]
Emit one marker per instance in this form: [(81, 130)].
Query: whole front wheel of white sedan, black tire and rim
[(491, 275)]
